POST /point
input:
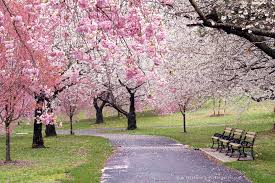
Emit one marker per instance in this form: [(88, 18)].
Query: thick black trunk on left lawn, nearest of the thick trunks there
[(37, 130)]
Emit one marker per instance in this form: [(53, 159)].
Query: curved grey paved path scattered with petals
[(150, 159)]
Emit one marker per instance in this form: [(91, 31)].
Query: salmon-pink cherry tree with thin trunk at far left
[(22, 66)]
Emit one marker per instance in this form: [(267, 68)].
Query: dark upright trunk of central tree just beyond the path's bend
[(132, 123)]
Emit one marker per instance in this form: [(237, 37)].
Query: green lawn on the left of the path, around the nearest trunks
[(67, 159)]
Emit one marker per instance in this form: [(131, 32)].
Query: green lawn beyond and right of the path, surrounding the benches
[(200, 127)]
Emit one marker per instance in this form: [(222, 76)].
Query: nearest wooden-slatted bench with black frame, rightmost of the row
[(246, 143)]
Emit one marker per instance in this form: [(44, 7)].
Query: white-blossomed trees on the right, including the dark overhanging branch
[(223, 49)]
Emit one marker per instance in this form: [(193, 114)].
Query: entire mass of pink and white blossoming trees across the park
[(111, 53)]
